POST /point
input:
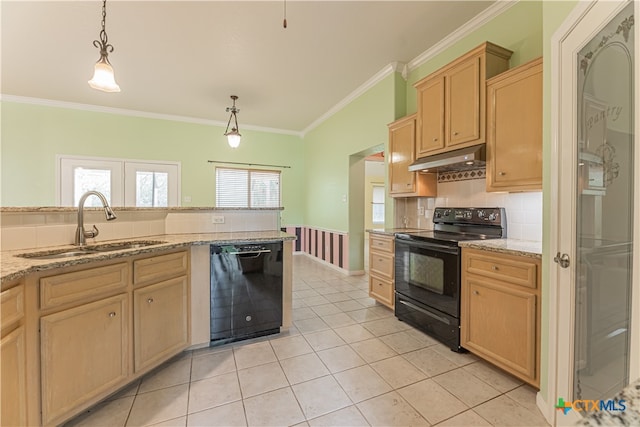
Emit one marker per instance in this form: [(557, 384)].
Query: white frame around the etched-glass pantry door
[(590, 16)]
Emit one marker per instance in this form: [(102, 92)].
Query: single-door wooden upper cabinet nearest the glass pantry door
[(514, 120)]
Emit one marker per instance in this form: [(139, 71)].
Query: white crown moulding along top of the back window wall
[(136, 113)]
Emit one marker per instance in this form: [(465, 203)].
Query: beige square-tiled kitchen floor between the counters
[(347, 362)]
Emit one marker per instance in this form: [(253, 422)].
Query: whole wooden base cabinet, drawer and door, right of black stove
[(500, 311)]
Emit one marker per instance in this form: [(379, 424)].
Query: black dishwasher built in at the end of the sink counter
[(246, 291)]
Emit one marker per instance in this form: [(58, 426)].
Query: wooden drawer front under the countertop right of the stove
[(514, 270)]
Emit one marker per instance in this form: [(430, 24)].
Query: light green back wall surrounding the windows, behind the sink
[(33, 135)]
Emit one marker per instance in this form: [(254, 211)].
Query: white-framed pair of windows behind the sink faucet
[(123, 182)]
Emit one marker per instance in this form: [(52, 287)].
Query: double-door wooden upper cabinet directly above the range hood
[(451, 101)]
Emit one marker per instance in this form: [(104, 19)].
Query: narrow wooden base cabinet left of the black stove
[(382, 269)]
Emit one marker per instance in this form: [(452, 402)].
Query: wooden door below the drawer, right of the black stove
[(499, 322)]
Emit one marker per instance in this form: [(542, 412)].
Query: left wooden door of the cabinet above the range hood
[(431, 119)]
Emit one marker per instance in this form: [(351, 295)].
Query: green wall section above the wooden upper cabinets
[(518, 29)]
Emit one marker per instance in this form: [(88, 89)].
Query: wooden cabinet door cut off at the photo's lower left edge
[(14, 394)]
